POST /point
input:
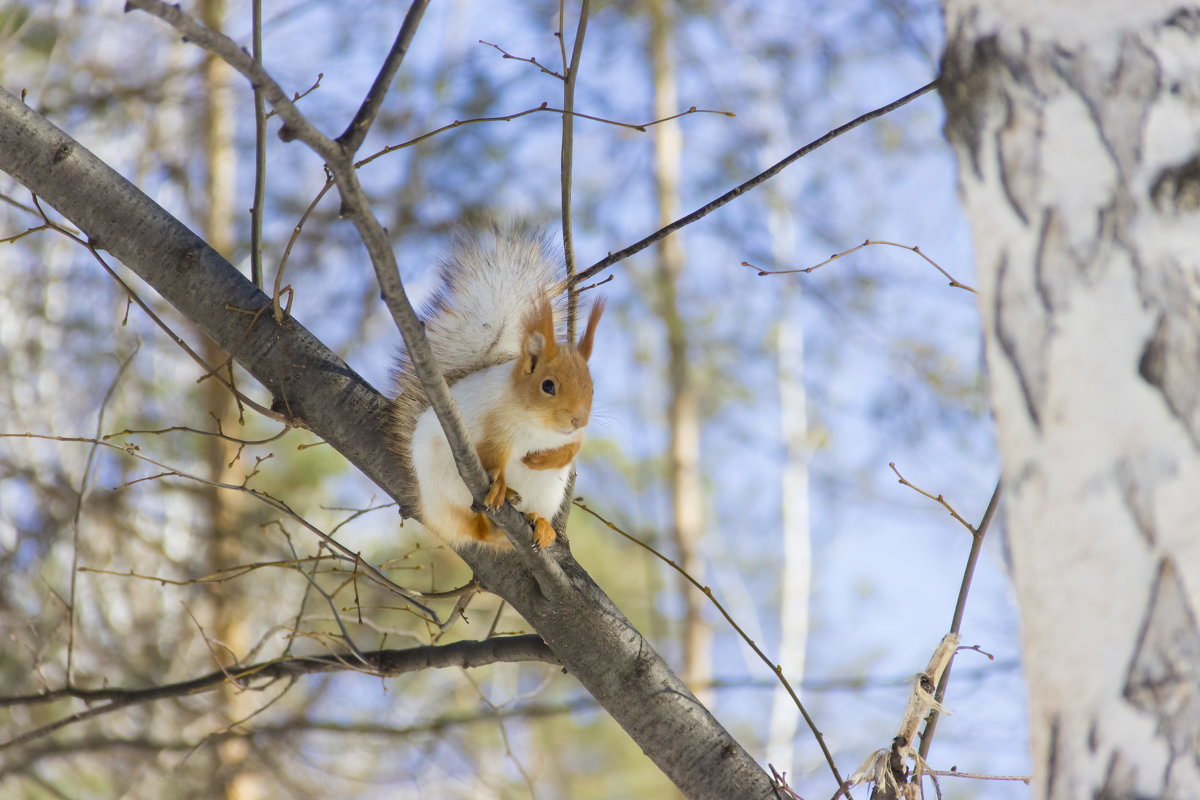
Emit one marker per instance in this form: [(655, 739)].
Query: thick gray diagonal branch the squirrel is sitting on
[(584, 628)]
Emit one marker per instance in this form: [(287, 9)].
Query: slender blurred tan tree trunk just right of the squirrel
[(683, 417)]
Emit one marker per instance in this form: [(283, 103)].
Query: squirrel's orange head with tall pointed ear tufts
[(551, 378)]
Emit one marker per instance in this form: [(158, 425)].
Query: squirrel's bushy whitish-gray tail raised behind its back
[(489, 282)]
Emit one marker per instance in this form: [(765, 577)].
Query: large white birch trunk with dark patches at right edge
[(1076, 128)]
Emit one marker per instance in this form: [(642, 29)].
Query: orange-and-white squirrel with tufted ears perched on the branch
[(525, 396)]
